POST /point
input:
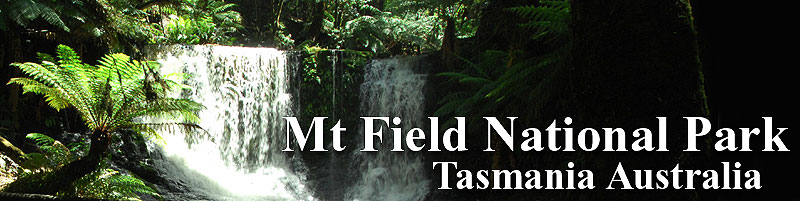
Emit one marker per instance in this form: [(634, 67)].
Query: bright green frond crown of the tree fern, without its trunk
[(109, 96)]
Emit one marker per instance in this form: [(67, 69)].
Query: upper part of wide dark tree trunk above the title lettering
[(638, 58)]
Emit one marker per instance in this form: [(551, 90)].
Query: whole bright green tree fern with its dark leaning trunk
[(118, 93)]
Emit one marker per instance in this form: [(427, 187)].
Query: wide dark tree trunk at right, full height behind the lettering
[(635, 61)]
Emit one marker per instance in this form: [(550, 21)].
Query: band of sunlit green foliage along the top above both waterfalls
[(378, 26)]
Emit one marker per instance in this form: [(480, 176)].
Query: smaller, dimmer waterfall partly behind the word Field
[(392, 87)]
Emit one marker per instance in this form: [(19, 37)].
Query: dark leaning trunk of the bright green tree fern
[(52, 182)]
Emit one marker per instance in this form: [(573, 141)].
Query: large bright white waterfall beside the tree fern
[(245, 92)]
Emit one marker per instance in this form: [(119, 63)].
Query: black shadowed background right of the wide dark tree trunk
[(747, 75)]
